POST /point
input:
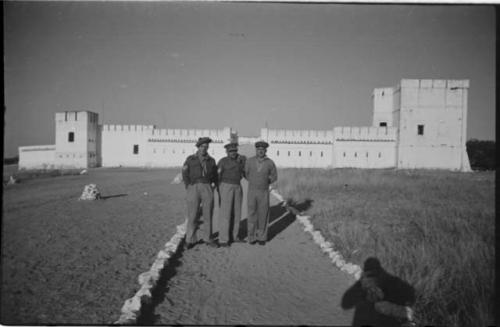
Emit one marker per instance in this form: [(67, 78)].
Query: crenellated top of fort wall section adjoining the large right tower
[(365, 133)]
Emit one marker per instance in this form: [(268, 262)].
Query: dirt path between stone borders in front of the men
[(287, 281)]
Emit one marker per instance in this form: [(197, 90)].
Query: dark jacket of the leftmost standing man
[(193, 171)]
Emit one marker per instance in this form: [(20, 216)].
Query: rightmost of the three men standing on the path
[(260, 171)]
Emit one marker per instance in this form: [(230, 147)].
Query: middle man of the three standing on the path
[(231, 171)]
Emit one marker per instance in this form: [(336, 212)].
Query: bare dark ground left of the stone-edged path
[(66, 261)]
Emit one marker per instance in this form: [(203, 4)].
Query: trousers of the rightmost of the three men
[(258, 214)]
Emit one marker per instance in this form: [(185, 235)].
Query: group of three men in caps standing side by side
[(201, 175)]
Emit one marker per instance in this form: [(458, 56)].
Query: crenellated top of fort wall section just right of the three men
[(297, 136)]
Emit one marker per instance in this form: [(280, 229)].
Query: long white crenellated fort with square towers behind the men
[(416, 124)]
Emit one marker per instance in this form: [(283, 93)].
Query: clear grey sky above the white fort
[(241, 65)]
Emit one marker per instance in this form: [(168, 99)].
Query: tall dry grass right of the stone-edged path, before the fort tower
[(435, 229)]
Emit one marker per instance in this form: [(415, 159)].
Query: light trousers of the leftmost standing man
[(196, 194)]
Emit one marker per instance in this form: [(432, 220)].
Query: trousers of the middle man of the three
[(231, 196)]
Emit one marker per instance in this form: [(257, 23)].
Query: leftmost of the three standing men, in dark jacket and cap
[(199, 173)]
